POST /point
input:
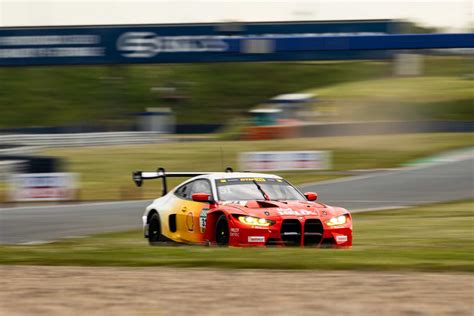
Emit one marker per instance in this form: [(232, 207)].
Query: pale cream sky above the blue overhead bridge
[(451, 15)]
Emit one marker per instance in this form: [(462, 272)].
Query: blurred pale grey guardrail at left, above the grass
[(83, 139)]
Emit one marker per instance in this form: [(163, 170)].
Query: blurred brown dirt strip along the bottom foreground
[(27, 290)]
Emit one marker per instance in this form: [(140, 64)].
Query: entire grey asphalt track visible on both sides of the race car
[(445, 180)]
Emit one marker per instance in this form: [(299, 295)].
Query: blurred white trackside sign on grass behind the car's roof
[(285, 160)]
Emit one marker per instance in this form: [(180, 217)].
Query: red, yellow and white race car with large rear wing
[(241, 209)]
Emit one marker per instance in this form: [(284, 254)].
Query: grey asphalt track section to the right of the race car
[(437, 182)]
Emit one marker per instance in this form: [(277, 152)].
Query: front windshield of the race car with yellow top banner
[(244, 189)]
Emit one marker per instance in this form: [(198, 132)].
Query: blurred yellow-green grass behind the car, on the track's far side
[(106, 171)]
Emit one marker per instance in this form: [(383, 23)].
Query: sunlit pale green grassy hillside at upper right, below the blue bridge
[(398, 98)]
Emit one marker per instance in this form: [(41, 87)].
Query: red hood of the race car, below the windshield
[(283, 209)]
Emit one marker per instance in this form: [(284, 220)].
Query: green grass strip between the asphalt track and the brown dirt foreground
[(428, 238)]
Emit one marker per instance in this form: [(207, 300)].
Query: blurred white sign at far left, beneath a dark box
[(43, 187)]
